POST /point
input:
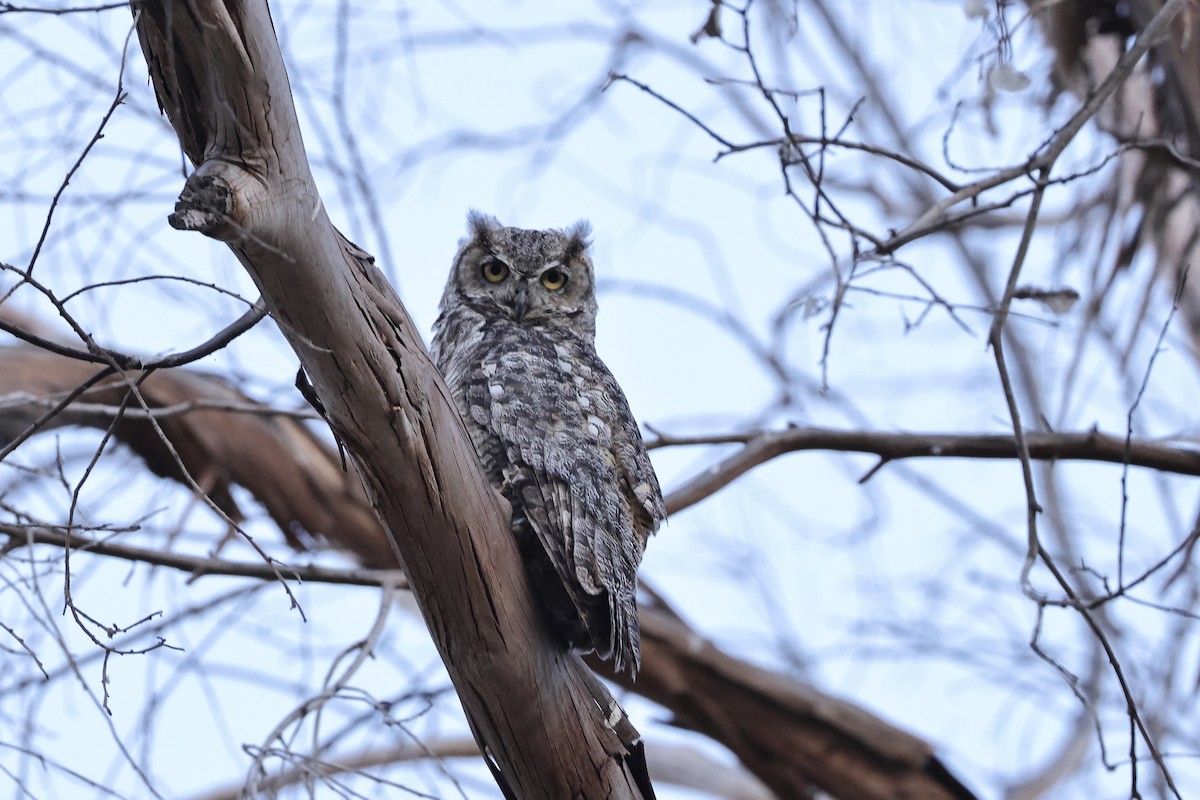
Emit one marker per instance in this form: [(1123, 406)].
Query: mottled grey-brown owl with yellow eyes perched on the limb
[(515, 342)]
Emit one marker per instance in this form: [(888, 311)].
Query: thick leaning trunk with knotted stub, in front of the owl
[(219, 75)]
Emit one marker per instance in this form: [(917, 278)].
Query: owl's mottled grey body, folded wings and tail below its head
[(555, 434)]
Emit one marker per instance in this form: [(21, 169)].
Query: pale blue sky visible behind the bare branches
[(884, 593)]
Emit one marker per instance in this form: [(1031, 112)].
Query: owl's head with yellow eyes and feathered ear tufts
[(533, 278)]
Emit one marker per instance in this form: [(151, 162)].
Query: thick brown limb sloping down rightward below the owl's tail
[(791, 736)]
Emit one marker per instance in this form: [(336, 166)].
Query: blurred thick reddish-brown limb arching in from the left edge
[(218, 442)]
